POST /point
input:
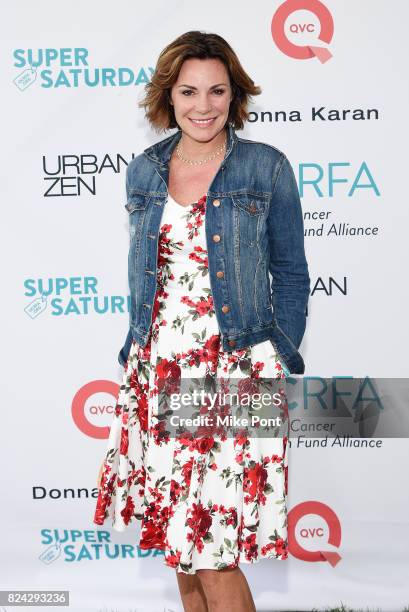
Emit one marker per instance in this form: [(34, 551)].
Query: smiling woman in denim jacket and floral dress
[(214, 214)]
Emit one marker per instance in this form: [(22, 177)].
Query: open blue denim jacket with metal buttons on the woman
[(253, 227)]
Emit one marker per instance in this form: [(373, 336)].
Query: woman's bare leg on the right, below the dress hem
[(226, 590)]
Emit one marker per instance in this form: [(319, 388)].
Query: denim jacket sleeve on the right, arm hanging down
[(288, 265)]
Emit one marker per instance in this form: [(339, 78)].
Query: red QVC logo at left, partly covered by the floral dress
[(91, 401)]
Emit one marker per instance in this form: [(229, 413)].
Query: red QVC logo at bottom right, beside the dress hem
[(308, 537)]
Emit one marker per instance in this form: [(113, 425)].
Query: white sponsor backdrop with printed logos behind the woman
[(335, 100)]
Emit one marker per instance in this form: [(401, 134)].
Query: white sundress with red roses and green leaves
[(206, 502)]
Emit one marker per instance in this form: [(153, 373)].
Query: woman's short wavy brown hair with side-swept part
[(195, 44)]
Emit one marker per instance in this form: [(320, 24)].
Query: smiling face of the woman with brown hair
[(202, 92)]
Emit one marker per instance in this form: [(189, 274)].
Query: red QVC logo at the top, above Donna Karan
[(298, 25)]
